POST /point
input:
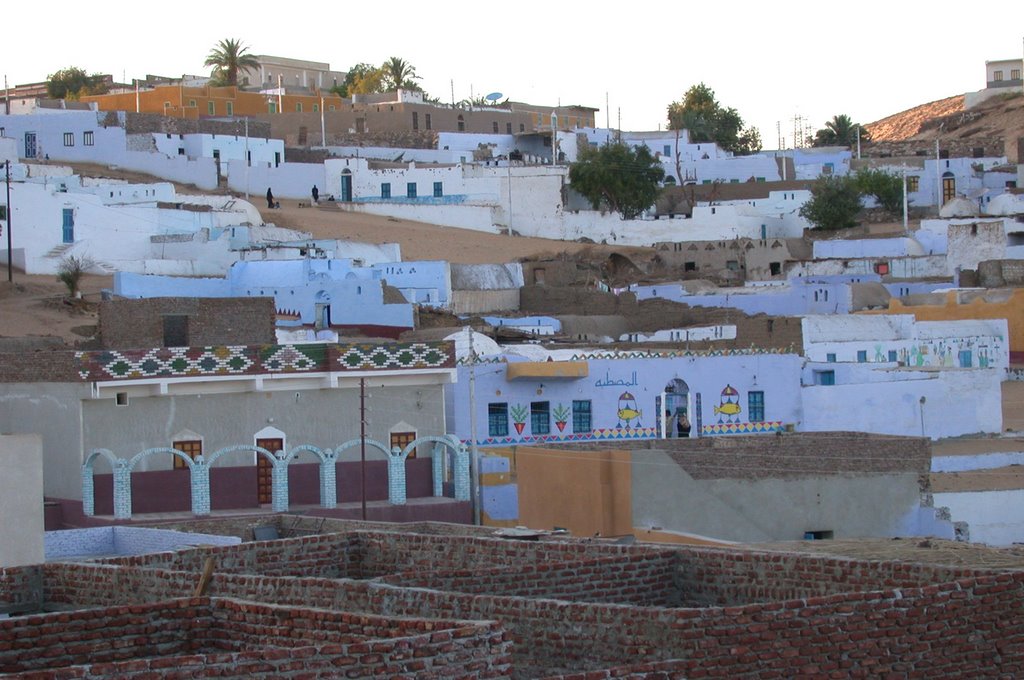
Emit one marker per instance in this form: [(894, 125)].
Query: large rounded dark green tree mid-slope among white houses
[(618, 178)]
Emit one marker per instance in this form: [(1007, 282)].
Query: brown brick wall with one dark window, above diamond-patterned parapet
[(137, 324)]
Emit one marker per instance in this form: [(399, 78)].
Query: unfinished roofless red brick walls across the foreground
[(363, 603)]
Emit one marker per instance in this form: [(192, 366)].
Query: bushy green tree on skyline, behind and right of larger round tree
[(706, 120)]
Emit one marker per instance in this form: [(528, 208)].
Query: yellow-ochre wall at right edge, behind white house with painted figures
[(999, 304)]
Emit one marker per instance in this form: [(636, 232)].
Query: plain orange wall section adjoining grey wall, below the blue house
[(587, 493)]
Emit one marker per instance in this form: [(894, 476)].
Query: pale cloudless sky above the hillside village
[(771, 61)]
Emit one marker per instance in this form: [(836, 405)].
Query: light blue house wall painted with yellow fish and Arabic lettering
[(624, 395)]
